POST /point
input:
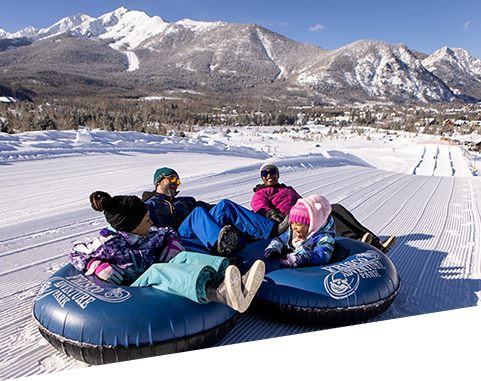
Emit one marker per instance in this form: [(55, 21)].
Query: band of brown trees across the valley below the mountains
[(162, 116)]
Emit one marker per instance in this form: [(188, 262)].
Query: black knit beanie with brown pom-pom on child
[(123, 213)]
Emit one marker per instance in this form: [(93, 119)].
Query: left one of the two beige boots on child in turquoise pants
[(229, 292)]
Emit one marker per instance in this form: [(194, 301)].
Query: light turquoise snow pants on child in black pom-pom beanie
[(185, 275)]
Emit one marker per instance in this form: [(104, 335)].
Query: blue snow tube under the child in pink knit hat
[(360, 282)]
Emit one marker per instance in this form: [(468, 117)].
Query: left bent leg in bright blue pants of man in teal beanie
[(202, 225)]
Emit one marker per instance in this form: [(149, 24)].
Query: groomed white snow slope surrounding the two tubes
[(416, 188)]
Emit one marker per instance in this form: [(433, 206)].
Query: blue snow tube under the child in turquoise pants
[(125, 327)]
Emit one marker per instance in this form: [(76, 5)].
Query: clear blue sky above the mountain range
[(423, 25)]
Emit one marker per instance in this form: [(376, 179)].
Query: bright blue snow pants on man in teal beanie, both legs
[(206, 224)]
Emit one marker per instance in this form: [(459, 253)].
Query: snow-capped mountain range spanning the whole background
[(128, 53)]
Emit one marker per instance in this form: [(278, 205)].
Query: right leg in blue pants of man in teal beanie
[(227, 212)]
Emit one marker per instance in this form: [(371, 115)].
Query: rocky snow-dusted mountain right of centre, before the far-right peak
[(378, 69)]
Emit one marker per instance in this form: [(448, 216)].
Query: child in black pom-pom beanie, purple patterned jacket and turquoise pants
[(132, 250)]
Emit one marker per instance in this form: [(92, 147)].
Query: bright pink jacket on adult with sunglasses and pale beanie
[(281, 197)]
